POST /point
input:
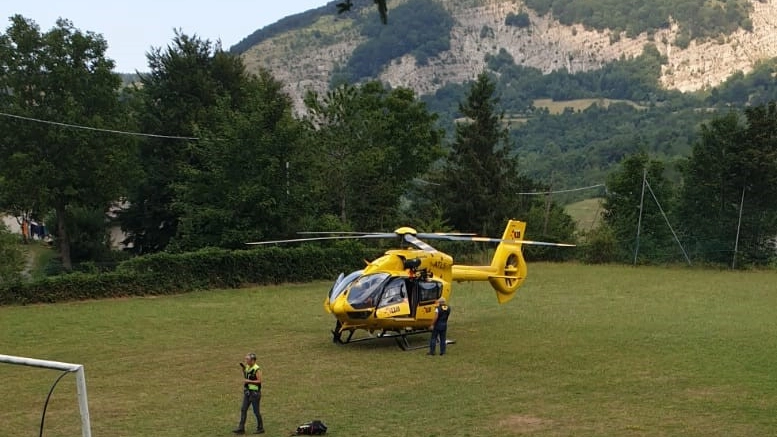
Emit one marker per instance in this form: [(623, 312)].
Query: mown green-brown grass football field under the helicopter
[(581, 351)]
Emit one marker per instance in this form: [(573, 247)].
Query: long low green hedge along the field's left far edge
[(166, 273)]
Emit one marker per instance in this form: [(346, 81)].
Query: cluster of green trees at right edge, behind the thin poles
[(723, 212)]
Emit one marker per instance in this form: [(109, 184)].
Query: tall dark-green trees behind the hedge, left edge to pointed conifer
[(200, 153)]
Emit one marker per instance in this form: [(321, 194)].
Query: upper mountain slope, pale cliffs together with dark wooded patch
[(703, 42)]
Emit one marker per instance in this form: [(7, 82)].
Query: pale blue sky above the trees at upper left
[(132, 27)]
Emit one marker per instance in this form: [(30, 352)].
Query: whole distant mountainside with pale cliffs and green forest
[(673, 65)]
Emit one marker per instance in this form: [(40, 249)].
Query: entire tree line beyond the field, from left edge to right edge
[(201, 153)]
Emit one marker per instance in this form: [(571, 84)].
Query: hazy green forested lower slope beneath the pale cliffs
[(580, 146)]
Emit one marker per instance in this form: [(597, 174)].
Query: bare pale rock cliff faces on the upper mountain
[(304, 58)]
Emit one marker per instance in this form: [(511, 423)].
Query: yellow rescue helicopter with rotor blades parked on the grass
[(395, 294)]
